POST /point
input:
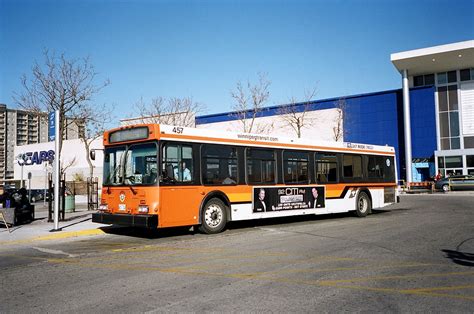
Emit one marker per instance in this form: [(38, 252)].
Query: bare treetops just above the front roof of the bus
[(173, 111)]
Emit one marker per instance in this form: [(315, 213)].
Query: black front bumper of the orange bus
[(144, 221)]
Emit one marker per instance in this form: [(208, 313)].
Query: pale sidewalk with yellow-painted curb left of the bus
[(77, 223)]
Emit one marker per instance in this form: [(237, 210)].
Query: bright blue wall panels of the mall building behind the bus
[(374, 118)]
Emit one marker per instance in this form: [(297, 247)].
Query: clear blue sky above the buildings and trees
[(201, 49)]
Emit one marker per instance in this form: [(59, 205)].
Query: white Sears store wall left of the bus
[(73, 151)]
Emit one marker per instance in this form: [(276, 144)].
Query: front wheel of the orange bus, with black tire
[(213, 216)]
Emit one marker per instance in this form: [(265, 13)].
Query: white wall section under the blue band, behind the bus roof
[(320, 126)]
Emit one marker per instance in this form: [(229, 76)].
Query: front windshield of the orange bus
[(131, 165)]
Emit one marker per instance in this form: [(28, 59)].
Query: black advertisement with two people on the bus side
[(269, 199)]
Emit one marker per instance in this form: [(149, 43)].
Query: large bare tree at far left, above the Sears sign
[(67, 85)]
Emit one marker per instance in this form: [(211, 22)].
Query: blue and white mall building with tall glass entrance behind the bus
[(429, 120)]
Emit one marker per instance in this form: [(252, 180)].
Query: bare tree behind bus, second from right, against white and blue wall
[(295, 113)]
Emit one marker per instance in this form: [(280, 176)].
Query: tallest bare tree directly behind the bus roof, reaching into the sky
[(249, 103)]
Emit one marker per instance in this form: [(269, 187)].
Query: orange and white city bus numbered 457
[(159, 176)]
